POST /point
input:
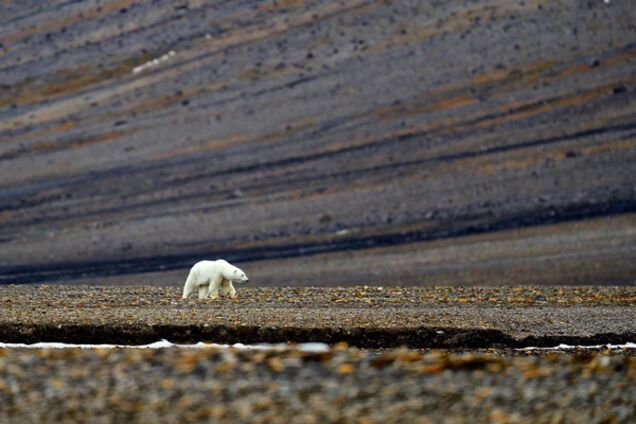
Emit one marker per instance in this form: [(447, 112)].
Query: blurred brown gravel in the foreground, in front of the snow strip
[(344, 385)]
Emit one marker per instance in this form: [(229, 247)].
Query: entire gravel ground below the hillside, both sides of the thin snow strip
[(482, 376)]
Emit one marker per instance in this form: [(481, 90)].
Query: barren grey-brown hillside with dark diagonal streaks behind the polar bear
[(377, 142)]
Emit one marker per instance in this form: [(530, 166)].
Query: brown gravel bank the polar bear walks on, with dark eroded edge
[(449, 317)]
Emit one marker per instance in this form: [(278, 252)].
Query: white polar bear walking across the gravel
[(212, 277)]
